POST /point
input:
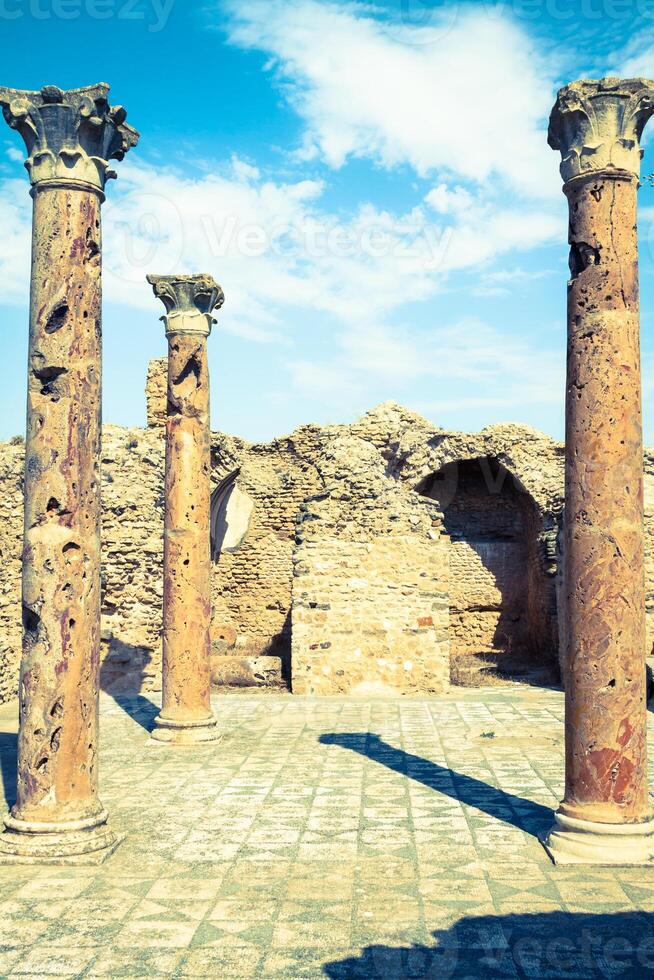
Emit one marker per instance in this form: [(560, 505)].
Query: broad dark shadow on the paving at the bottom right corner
[(558, 945)]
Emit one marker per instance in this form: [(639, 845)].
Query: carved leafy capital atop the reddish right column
[(597, 125)]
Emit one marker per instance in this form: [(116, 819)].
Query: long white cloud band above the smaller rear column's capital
[(275, 248)]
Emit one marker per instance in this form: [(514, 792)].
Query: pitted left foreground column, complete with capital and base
[(70, 137)]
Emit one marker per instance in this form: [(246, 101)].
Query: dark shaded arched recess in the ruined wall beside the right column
[(501, 595)]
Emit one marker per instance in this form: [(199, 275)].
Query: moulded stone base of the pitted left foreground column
[(78, 842)]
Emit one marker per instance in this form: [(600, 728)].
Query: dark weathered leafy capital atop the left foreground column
[(70, 135)]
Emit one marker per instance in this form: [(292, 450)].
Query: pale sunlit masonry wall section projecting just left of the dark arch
[(370, 607)]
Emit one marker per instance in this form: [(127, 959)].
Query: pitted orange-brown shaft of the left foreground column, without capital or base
[(57, 747)]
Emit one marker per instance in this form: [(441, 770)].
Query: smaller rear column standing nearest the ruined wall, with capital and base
[(186, 716)]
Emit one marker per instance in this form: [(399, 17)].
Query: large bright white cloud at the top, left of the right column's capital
[(473, 102)]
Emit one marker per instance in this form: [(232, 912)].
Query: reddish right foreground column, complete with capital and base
[(605, 816)]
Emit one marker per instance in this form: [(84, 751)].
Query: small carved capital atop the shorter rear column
[(189, 302)]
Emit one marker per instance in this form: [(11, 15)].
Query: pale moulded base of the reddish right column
[(573, 841)]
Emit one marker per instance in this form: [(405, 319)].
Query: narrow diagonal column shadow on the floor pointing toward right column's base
[(534, 818)]
